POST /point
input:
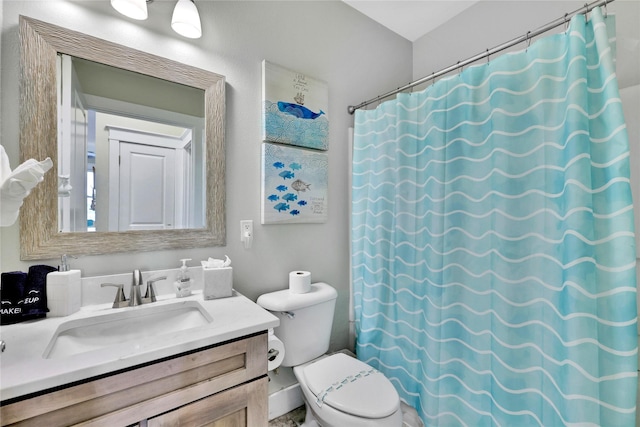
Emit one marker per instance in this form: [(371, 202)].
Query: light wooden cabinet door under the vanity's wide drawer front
[(243, 405)]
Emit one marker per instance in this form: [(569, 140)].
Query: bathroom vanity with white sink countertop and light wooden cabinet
[(213, 373)]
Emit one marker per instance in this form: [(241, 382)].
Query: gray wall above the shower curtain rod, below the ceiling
[(490, 23)]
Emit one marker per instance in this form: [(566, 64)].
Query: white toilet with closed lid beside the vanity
[(339, 390)]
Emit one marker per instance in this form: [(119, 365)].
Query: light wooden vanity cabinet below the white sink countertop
[(221, 386)]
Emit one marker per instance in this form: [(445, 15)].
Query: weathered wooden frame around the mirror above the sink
[(40, 227)]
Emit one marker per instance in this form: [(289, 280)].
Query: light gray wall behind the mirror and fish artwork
[(326, 39)]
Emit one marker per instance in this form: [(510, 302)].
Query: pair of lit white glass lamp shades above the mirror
[(184, 21)]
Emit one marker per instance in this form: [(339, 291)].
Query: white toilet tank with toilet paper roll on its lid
[(305, 321)]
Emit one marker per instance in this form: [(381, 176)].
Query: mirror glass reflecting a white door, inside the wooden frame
[(92, 99)]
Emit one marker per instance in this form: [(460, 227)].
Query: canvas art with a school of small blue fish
[(294, 185)]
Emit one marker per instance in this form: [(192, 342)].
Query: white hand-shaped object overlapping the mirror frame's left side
[(16, 185)]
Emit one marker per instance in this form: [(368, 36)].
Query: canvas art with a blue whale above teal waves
[(294, 108)]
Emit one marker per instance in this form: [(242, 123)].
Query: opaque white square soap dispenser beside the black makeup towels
[(64, 290)]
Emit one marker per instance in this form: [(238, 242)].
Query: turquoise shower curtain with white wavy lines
[(493, 251)]
